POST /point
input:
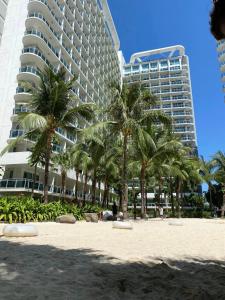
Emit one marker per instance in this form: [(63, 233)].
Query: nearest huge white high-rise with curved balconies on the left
[(77, 34)]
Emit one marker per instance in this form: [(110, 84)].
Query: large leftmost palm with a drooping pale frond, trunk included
[(52, 106)]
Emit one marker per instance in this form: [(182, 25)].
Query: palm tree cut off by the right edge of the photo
[(219, 163)]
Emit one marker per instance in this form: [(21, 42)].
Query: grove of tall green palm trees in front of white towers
[(125, 149)]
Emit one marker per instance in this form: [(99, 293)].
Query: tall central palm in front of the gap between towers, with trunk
[(129, 112)]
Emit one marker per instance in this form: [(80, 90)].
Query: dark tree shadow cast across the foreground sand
[(44, 272)]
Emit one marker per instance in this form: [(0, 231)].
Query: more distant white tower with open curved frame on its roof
[(166, 73)]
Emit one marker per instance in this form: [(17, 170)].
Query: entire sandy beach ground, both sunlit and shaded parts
[(93, 261)]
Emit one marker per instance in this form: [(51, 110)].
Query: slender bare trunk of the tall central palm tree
[(125, 184)]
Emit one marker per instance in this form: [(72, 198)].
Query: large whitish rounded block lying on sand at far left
[(20, 230)]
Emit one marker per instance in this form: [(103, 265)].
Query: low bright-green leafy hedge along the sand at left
[(24, 209)]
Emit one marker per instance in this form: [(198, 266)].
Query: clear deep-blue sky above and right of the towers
[(149, 24)]
